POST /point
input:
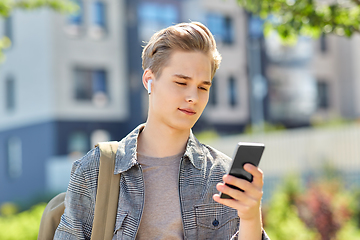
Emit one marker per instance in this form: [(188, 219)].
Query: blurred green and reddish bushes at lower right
[(324, 210)]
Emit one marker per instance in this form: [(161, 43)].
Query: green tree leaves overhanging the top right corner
[(290, 18)]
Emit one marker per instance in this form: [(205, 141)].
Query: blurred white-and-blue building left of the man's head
[(63, 87)]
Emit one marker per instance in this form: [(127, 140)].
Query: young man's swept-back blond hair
[(192, 36)]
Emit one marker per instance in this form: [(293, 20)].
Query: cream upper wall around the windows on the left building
[(84, 51)]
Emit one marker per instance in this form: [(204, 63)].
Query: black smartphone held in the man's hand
[(244, 153)]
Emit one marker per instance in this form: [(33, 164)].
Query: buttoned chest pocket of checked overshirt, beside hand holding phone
[(216, 221)]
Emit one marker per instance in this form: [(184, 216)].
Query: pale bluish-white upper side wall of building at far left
[(29, 62)]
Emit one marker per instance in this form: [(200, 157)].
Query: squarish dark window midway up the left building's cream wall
[(91, 85)]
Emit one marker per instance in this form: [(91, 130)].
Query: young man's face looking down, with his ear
[(181, 92)]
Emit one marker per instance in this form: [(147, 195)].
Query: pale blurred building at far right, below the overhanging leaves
[(314, 81)]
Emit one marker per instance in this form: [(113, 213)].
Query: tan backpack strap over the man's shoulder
[(107, 193)]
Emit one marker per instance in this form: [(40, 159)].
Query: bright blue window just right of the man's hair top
[(221, 27)]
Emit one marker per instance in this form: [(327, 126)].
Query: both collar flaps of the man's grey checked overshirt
[(126, 154)]
